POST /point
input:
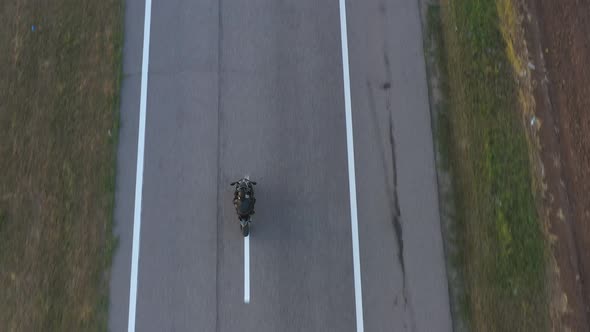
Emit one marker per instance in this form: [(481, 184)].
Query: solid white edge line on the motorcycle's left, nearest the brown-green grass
[(139, 171)]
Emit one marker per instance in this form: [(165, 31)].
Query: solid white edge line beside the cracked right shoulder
[(358, 294)]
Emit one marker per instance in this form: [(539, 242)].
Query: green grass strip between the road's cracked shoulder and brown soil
[(482, 139)]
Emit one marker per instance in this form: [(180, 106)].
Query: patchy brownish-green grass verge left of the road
[(61, 70)]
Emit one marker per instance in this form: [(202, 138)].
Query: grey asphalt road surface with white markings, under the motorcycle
[(256, 88)]
